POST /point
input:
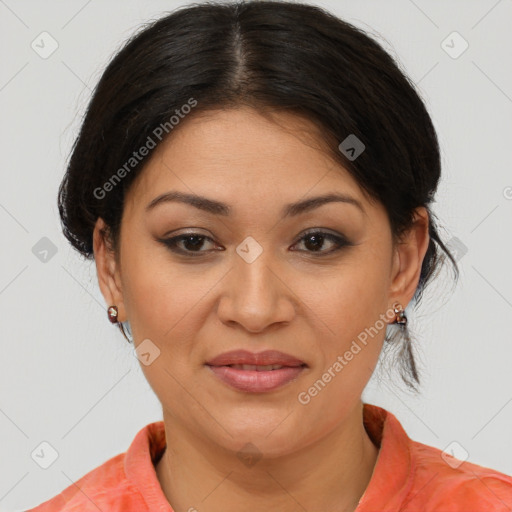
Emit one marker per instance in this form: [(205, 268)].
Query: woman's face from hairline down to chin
[(255, 274)]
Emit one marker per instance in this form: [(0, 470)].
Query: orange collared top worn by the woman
[(408, 477)]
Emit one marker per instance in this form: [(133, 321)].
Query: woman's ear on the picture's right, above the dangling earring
[(408, 258)]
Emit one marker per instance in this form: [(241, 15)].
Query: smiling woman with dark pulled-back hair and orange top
[(254, 181)]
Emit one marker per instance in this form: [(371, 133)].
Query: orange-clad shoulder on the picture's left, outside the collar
[(103, 488)]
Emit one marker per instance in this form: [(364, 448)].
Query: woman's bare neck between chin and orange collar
[(331, 473)]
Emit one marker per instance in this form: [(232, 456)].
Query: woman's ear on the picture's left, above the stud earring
[(109, 275)]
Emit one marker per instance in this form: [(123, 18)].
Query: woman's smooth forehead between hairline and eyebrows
[(240, 149)]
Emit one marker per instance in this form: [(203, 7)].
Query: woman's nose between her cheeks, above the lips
[(256, 295)]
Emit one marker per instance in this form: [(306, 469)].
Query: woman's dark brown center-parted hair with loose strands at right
[(274, 56)]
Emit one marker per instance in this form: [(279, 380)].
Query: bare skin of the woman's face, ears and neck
[(317, 456)]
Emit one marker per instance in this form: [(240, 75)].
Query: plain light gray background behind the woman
[(67, 376)]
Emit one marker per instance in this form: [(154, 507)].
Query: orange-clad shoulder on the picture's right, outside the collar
[(443, 483)]
